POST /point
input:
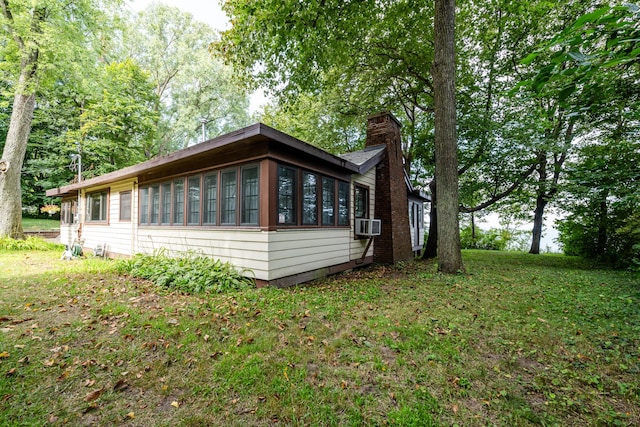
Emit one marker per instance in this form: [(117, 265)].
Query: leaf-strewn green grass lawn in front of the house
[(518, 340)]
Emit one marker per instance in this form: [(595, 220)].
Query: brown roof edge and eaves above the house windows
[(254, 131)]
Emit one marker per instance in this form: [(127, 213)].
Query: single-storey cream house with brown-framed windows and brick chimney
[(259, 199)]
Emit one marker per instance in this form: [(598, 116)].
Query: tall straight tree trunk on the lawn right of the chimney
[(443, 70)]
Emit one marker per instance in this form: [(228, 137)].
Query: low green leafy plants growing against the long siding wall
[(192, 273)]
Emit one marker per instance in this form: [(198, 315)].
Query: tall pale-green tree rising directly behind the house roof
[(190, 84)]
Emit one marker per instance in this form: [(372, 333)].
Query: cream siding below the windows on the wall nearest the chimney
[(298, 251)]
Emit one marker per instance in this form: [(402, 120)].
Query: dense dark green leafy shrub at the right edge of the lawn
[(601, 200)]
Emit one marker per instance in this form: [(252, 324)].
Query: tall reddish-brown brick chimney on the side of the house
[(392, 206)]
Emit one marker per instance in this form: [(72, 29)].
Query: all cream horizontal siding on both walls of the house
[(268, 255)]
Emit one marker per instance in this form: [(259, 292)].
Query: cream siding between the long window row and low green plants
[(245, 249)]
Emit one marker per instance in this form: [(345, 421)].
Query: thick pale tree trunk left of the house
[(12, 159)]
